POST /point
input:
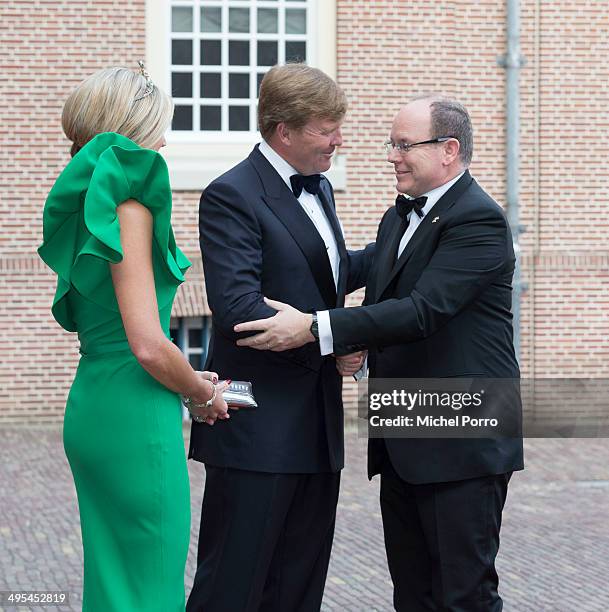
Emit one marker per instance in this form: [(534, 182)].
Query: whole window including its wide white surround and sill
[(222, 92)]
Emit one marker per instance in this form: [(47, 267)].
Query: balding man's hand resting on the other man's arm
[(288, 329)]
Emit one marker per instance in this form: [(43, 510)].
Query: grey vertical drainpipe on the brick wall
[(512, 62)]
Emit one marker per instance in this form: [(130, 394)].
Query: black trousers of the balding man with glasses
[(442, 540)]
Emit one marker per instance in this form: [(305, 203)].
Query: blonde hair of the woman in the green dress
[(106, 102)]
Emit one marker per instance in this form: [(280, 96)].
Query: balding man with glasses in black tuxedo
[(437, 305)]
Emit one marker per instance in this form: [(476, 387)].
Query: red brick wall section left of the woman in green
[(46, 48)]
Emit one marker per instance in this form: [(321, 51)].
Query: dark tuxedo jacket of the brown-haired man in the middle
[(257, 241)]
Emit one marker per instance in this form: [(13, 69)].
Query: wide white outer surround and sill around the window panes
[(195, 159)]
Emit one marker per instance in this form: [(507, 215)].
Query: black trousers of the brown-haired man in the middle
[(264, 542)]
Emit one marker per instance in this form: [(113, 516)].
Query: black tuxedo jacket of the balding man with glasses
[(443, 309)]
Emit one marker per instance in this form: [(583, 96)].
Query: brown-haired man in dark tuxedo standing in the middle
[(268, 227)]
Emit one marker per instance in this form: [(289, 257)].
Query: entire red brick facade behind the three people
[(386, 51)]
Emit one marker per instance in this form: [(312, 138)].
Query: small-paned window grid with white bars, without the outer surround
[(219, 52)]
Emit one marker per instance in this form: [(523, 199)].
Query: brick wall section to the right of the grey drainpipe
[(565, 188)]
